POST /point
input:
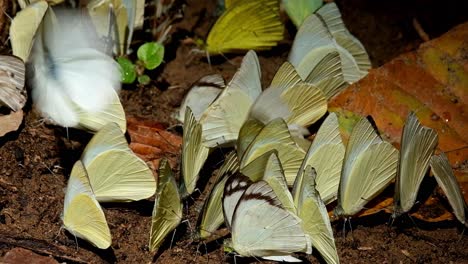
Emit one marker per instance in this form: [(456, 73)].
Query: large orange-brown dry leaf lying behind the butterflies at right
[(433, 82)]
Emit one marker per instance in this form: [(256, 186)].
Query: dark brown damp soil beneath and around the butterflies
[(35, 161)]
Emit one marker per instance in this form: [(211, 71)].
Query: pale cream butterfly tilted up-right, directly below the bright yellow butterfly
[(222, 120)]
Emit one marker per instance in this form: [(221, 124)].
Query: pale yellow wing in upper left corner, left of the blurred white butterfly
[(24, 27)]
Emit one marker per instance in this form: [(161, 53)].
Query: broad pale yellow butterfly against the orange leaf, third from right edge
[(370, 164)]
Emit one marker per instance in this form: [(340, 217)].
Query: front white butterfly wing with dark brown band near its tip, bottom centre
[(262, 227)]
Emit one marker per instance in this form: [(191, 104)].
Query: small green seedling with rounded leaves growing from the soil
[(150, 56)]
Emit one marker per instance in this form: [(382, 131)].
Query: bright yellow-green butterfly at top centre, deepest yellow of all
[(246, 25)]
